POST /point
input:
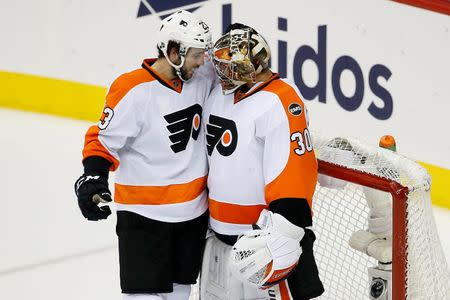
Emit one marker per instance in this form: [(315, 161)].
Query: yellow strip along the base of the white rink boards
[(83, 101)]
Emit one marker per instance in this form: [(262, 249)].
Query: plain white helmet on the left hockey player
[(186, 29)]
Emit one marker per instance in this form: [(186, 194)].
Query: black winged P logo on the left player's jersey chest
[(182, 125)]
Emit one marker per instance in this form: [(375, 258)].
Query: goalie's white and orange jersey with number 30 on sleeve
[(259, 150)]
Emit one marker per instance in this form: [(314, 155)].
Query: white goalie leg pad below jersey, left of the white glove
[(216, 279)]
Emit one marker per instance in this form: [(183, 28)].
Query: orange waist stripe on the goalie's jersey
[(233, 213)]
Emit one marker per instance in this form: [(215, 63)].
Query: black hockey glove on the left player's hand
[(92, 188)]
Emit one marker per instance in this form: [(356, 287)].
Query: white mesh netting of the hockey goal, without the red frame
[(340, 212)]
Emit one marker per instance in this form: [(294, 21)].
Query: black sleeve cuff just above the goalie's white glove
[(295, 210)]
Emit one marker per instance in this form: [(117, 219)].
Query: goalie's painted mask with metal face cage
[(239, 56)]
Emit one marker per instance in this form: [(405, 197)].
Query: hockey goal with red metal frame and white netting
[(419, 268)]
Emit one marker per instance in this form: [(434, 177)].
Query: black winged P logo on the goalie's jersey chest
[(221, 134)]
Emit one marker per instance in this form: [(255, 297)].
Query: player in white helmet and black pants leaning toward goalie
[(149, 133)]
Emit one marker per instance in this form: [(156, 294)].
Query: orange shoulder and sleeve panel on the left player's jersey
[(120, 87)]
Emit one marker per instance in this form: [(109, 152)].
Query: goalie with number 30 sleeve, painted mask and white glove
[(261, 180)]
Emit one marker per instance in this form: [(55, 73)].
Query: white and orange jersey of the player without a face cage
[(151, 132)]
